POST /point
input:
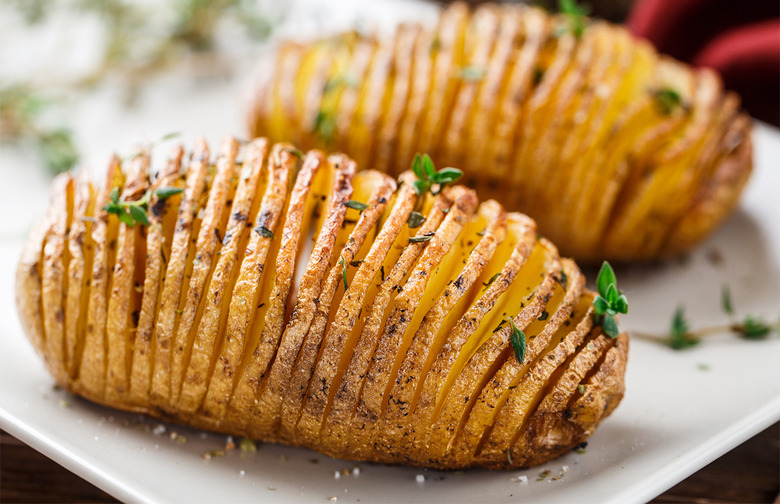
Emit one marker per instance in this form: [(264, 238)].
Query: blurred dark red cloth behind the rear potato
[(741, 40)]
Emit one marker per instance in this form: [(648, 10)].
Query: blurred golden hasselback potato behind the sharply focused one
[(616, 151)]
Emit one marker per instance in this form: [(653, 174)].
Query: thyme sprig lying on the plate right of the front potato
[(681, 336)]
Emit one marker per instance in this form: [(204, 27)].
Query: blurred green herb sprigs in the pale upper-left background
[(134, 49)]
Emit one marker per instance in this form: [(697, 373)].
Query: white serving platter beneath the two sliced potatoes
[(682, 409)]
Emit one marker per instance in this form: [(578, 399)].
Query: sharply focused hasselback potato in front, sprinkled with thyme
[(292, 298)]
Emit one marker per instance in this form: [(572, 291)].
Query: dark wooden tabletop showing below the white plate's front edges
[(749, 473)]
